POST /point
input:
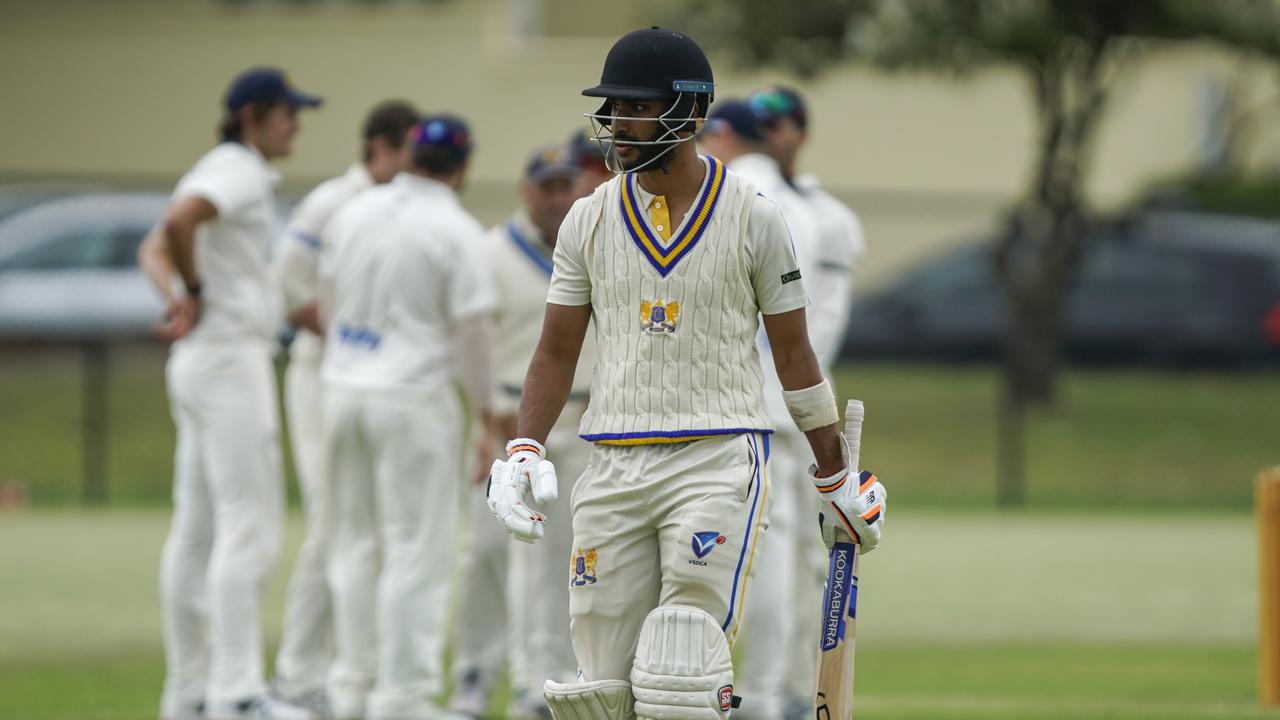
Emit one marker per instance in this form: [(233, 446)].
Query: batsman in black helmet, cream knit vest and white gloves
[(675, 263)]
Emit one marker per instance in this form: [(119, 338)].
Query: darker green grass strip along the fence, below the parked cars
[(1130, 441)]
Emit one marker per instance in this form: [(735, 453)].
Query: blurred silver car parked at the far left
[(68, 268)]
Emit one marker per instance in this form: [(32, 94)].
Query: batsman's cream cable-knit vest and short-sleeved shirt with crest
[(676, 320)]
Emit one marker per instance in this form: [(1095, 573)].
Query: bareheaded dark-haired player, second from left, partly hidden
[(307, 645)]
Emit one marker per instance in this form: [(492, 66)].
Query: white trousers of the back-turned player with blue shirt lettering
[(396, 458)]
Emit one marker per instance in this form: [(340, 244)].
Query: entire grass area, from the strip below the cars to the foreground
[(1126, 593)]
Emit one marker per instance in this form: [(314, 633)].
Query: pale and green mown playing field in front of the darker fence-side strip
[(963, 617)]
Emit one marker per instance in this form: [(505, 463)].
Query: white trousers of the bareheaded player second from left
[(307, 644)]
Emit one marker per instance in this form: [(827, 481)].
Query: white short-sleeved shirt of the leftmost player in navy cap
[(240, 295)]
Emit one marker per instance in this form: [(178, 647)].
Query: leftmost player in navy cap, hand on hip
[(228, 480)]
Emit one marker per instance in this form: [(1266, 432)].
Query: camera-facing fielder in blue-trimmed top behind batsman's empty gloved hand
[(520, 259)]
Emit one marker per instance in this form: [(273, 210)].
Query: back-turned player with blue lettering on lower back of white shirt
[(405, 274)]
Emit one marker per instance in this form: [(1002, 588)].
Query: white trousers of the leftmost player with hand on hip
[(228, 503)]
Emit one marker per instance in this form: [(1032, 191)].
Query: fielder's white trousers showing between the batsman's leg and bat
[(780, 649)]
